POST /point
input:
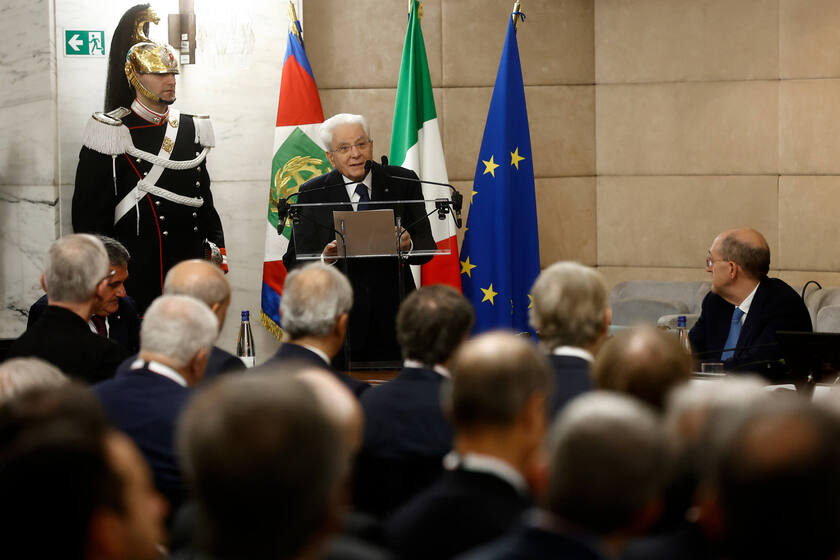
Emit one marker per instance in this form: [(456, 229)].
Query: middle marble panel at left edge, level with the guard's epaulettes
[(27, 144)]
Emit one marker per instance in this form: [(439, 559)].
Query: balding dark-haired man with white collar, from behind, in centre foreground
[(498, 400)]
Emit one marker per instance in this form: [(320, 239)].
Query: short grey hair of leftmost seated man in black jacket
[(76, 264)]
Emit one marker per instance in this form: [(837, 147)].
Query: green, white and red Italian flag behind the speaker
[(416, 145)]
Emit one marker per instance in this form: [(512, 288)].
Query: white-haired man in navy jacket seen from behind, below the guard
[(144, 402)]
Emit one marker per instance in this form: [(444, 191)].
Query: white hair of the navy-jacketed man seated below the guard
[(178, 327)]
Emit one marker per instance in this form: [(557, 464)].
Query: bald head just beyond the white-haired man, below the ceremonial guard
[(203, 281)]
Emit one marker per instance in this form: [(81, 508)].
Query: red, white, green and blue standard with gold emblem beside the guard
[(298, 156)]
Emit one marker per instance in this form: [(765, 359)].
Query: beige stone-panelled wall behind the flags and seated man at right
[(654, 123)]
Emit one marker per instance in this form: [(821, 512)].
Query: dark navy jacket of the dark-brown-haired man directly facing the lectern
[(406, 437)]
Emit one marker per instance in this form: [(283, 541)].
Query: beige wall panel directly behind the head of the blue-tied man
[(671, 221)]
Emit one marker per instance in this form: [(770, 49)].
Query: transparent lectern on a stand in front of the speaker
[(369, 254)]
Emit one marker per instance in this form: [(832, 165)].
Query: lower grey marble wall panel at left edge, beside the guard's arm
[(28, 218)]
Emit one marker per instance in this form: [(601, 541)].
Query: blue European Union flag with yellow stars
[(500, 255)]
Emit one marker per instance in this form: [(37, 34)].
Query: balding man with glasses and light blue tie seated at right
[(740, 316)]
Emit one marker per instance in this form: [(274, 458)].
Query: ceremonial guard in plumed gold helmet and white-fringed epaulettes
[(142, 175)]
